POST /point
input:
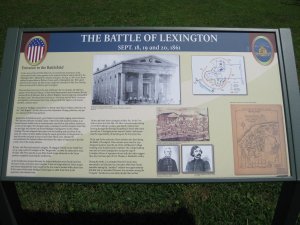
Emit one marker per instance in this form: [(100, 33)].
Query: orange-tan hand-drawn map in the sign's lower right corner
[(259, 140)]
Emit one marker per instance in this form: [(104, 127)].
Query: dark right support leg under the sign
[(288, 206)]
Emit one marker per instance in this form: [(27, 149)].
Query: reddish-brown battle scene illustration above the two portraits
[(182, 124)]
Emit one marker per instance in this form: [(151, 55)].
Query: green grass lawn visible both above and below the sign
[(234, 203)]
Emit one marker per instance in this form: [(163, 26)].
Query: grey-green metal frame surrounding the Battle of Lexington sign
[(288, 78)]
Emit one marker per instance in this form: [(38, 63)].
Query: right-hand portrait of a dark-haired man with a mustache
[(197, 159)]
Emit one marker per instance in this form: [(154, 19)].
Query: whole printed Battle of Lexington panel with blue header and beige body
[(149, 104)]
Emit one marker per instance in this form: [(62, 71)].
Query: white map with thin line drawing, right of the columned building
[(219, 75)]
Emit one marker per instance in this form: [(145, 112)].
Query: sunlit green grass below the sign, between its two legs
[(207, 203)]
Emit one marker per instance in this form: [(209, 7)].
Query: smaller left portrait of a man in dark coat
[(168, 159)]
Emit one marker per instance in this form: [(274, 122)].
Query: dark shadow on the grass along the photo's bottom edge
[(81, 218)]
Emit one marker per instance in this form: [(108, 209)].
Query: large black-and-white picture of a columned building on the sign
[(136, 79)]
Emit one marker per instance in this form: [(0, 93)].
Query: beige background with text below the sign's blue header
[(58, 132)]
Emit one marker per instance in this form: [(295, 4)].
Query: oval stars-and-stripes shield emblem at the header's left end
[(35, 50)]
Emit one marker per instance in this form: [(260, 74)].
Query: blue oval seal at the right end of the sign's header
[(262, 50)]
